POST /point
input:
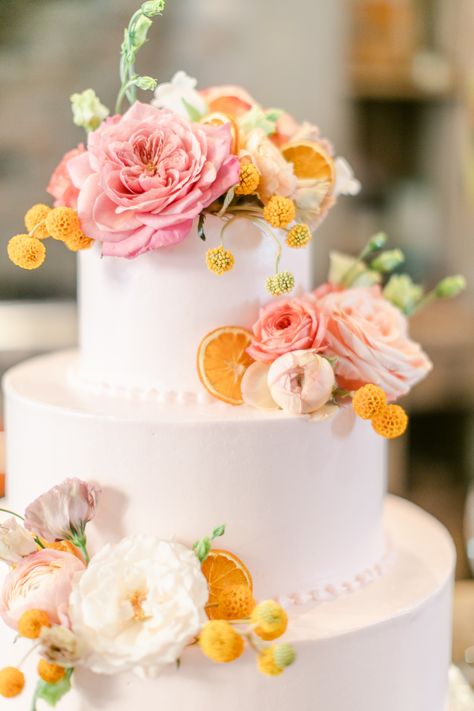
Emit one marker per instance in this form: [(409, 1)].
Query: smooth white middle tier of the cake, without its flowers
[(302, 499)]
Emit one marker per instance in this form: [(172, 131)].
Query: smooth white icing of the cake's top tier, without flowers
[(141, 320)]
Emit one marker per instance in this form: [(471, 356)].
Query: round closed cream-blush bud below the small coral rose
[(301, 382)]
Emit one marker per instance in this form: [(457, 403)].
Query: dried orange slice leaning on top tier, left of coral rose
[(222, 361)]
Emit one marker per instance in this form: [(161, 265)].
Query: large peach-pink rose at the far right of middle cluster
[(370, 339)]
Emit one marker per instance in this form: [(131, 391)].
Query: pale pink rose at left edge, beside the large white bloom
[(42, 581)]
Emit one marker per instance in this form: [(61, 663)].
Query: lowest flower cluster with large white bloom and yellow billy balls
[(136, 606)]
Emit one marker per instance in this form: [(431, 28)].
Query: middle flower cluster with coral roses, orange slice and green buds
[(346, 341)]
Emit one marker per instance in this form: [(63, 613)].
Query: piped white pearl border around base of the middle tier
[(333, 591)]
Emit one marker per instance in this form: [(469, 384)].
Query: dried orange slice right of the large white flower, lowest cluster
[(221, 570)]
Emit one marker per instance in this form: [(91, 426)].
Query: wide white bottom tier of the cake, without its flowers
[(386, 647)]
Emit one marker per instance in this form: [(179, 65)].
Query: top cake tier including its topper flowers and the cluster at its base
[(191, 211)]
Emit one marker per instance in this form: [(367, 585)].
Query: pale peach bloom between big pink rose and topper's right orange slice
[(277, 176)]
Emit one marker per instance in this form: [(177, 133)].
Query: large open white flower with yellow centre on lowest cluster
[(138, 605)]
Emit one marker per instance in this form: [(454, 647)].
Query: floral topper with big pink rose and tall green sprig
[(150, 173)]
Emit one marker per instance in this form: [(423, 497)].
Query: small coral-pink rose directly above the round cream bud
[(289, 325)]
